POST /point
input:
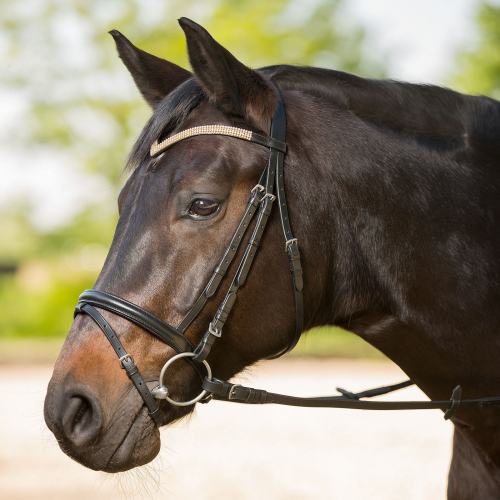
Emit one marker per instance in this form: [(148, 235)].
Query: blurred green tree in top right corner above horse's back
[(479, 65)]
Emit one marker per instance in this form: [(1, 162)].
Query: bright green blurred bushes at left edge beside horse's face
[(53, 269)]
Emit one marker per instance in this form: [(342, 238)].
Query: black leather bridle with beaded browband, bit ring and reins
[(260, 202)]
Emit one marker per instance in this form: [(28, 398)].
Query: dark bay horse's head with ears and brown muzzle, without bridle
[(179, 209)]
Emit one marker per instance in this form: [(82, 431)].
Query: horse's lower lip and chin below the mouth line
[(138, 447)]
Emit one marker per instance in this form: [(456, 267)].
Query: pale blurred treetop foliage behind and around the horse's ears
[(81, 97)]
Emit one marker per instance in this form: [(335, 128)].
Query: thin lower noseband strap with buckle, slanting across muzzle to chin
[(126, 362)]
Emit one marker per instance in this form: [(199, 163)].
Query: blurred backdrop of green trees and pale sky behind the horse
[(70, 114)]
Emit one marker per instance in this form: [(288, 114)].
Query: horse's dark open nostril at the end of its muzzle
[(81, 419)]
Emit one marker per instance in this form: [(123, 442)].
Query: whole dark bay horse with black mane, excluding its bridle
[(393, 189)]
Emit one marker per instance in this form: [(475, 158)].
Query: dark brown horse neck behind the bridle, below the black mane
[(407, 255)]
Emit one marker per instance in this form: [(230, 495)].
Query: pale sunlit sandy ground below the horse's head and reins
[(238, 452)]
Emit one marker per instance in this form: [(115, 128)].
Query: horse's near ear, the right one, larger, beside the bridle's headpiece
[(235, 89)]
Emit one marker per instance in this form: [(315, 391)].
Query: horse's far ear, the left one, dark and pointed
[(154, 77)]
